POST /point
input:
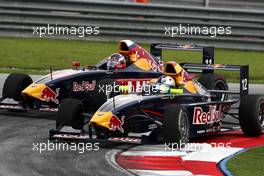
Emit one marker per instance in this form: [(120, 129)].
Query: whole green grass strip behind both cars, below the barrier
[(35, 56)]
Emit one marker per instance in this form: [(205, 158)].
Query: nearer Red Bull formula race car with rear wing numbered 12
[(172, 109)]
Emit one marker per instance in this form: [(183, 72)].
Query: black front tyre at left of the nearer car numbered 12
[(70, 114)]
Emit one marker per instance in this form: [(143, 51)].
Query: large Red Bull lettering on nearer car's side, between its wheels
[(200, 117)]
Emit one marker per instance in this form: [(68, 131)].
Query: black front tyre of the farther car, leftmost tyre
[(14, 84)]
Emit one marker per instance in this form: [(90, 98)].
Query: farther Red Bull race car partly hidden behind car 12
[(131, 65)]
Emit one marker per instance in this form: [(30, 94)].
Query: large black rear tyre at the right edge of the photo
[(251, 114)]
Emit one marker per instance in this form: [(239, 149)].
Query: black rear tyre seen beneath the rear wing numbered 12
[(213, 81)]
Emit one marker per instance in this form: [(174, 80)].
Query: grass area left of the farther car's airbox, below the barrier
[(42, 53)]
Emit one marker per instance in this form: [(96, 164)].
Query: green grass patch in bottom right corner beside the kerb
[(248, 163)]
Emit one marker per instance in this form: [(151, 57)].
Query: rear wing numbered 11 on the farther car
[(208, 51)]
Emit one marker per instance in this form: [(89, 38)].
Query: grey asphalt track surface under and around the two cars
[(18, 132)]
